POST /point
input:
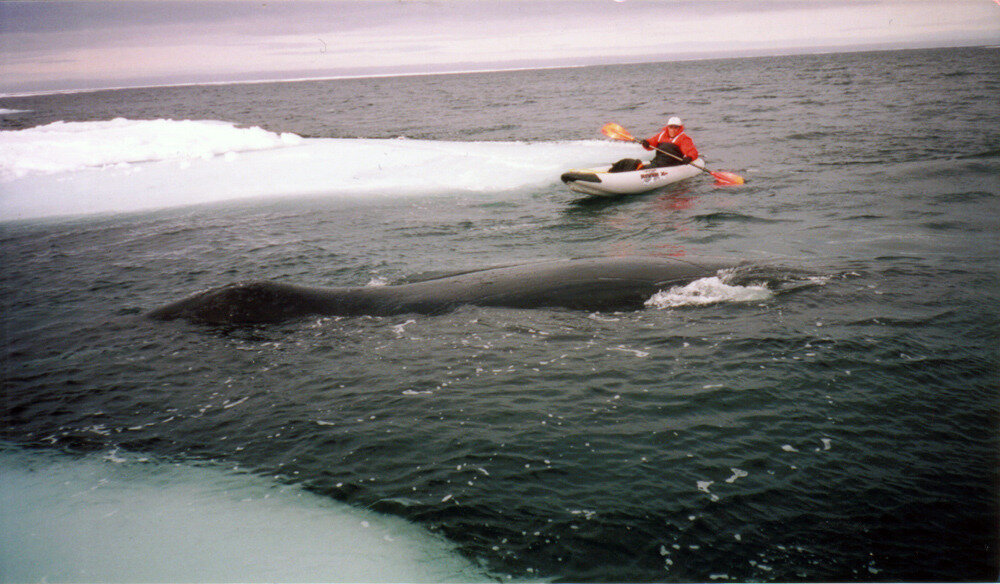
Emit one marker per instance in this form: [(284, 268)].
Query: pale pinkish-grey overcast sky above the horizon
[(53, 45)]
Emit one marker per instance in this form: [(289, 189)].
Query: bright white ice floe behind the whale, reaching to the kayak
[(122, 165)]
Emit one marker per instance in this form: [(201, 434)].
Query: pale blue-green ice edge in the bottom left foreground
[(119, 519)]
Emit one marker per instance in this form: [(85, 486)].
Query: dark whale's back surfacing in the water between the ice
[(598, 284)]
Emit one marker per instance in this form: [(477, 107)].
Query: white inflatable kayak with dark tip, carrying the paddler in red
[(600, 182)]
